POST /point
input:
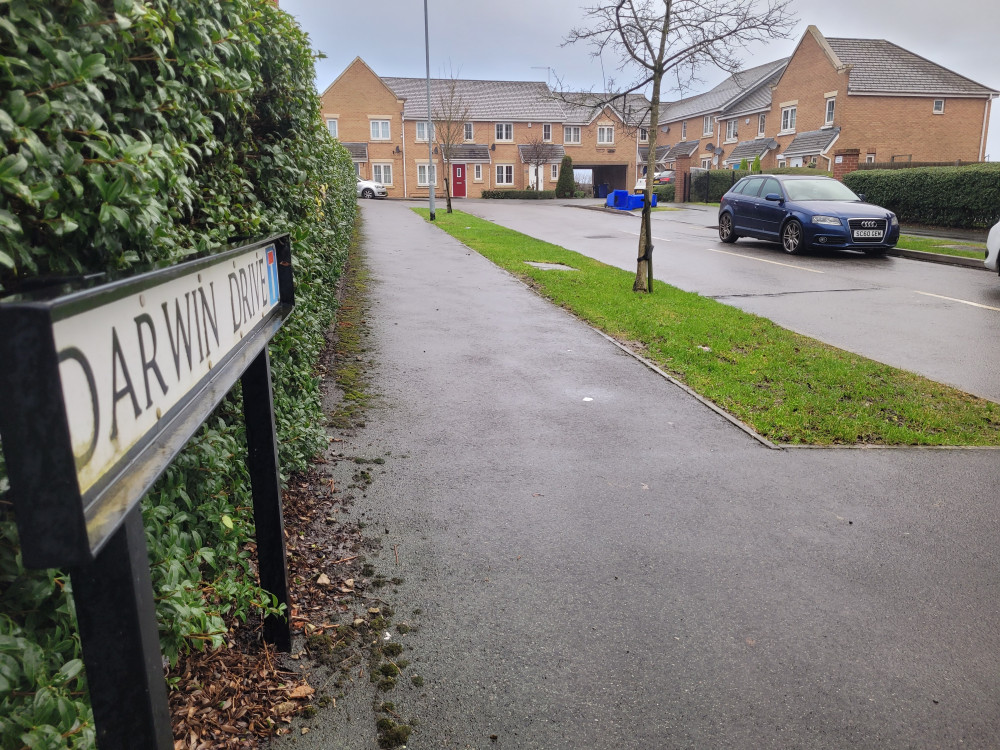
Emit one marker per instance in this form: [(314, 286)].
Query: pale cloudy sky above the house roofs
[(522, 40)]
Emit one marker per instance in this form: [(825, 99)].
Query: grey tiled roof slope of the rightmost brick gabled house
[(878, 66)]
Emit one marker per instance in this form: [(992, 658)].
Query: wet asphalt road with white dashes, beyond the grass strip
[(940, 321)]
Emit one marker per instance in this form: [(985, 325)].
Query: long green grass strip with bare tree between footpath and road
[(789, 388)]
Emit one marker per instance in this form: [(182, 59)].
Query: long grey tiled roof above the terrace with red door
[(518, 101)]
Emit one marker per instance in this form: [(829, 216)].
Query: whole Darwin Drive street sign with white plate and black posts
[(103, 386)]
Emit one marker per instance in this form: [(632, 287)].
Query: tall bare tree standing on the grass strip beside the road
[(655, 38)]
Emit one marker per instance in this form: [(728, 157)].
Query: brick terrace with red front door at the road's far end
[(504, 134)]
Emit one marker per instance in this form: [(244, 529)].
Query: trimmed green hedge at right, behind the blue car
[(966, 197)]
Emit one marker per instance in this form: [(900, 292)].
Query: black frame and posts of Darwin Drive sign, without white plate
[(97, 532)]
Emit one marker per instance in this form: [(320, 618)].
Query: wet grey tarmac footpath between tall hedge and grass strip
[(601, 561)]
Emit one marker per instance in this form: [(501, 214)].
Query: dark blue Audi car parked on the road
[(801, 211)]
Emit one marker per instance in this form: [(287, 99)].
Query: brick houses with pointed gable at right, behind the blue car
[(832, 102)]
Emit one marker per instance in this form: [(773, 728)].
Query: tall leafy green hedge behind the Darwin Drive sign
[(137, 133)]
